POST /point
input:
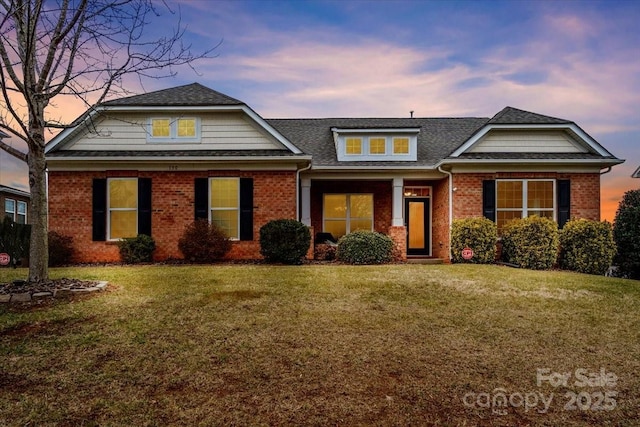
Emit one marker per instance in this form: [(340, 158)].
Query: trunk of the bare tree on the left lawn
[(38, 214)]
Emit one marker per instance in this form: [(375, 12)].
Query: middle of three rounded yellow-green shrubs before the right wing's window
[(531, 242)]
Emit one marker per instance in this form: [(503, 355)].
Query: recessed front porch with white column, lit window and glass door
[(414, 212)]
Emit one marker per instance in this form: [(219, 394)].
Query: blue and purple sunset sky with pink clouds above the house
[(577, 60)]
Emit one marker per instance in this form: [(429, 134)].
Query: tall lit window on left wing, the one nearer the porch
[(225, 205)]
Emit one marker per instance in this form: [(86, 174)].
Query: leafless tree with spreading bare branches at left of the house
[(52, 49)]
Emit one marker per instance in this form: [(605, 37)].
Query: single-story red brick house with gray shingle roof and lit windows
[(152, 163)]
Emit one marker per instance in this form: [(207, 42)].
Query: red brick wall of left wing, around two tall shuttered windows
[(70, 209)]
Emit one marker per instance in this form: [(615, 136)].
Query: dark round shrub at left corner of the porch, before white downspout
[(284, 240)]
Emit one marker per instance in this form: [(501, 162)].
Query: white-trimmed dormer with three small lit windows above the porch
[(363, 145)]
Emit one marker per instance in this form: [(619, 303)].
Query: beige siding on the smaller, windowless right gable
[(527, 142)]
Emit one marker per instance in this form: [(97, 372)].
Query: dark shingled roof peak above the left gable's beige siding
[(193, 94)]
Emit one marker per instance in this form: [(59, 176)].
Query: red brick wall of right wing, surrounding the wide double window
[(585, 192)]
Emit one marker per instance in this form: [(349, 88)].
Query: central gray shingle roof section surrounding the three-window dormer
[(437, 138)]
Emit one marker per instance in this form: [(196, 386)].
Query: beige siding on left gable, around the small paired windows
[(219, 131)]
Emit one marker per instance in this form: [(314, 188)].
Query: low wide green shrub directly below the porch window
[(365, 247)]
